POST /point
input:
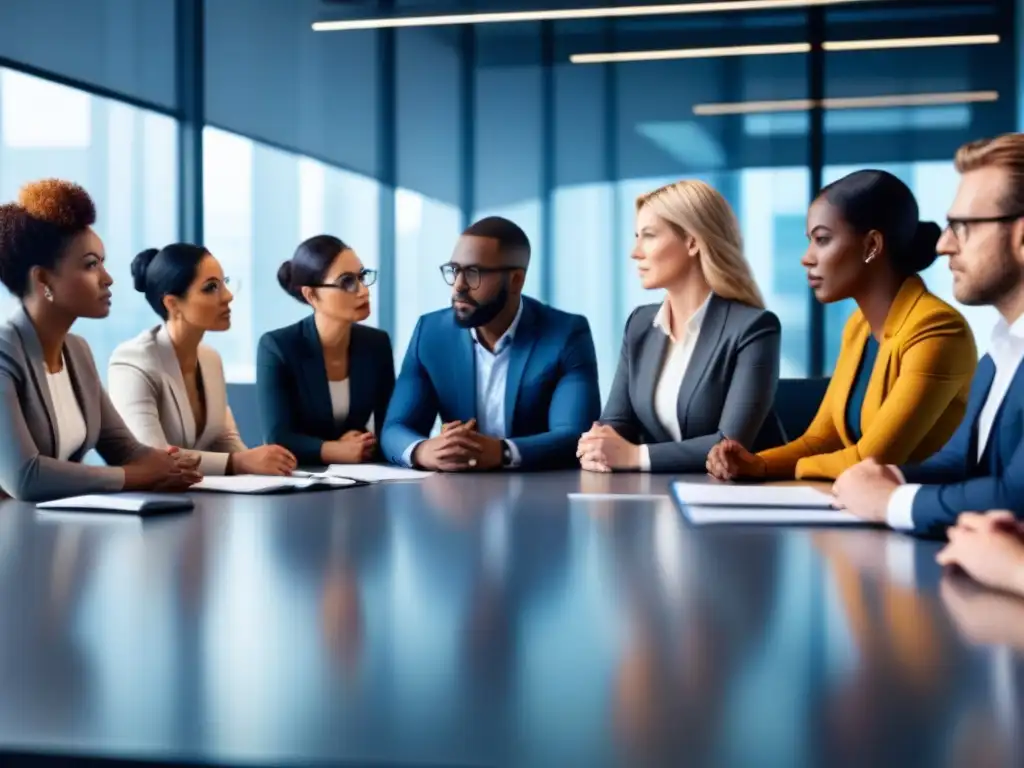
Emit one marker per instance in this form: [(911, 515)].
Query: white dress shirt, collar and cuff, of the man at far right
[(1007, 352)]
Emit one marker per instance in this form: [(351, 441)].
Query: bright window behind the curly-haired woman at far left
[(126, 159)]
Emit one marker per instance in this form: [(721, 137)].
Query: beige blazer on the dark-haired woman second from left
[(147, 387)]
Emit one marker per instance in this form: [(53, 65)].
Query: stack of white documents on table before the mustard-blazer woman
[(710, 503)]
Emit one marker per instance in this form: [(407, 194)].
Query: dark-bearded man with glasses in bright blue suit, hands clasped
[(514, 381)]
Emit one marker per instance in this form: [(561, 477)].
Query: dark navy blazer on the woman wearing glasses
[(294, 397)]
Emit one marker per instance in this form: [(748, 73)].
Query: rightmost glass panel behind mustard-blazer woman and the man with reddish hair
[(917, 143)]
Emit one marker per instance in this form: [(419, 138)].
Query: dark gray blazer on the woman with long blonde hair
[(729, 390)]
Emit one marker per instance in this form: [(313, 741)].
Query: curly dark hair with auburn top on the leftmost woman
[(35, 231)]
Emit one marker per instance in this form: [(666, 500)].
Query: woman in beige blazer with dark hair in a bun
[(168, 387)]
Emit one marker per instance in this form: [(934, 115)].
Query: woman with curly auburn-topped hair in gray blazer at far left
[(54, 409)]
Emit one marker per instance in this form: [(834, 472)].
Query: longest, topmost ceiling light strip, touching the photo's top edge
[(624, 12)]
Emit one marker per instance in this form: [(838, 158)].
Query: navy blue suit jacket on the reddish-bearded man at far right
[(955, 481)]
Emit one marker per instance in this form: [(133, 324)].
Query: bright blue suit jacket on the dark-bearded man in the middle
[(551, 396)]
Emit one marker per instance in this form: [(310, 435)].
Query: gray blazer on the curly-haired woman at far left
[(30, 435)]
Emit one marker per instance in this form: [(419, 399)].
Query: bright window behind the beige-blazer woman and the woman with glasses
[(260, 203)]
